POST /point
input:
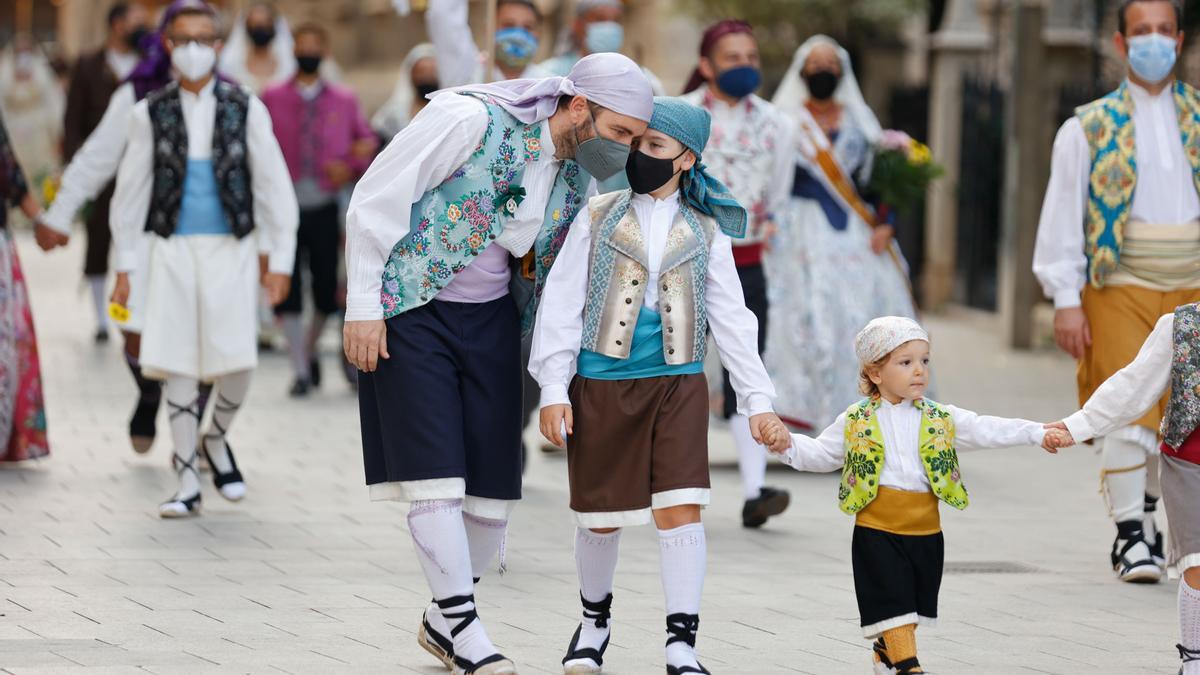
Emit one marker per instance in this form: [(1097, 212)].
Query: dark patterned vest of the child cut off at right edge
[(1184, 408)]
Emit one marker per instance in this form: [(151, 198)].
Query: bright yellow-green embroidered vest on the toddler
[(865, 456)]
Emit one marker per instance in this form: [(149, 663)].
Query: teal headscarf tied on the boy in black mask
[(691, 126)]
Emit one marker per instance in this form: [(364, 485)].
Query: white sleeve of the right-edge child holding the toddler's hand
[(1131, 392)]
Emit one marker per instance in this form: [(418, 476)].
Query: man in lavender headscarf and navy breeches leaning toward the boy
[(487, 177)]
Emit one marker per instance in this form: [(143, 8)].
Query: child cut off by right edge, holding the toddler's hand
[(1168, 361)]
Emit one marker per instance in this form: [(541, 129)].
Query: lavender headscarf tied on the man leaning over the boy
[(610, 80)]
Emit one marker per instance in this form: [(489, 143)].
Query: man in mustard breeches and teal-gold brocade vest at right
[(1119, 246)]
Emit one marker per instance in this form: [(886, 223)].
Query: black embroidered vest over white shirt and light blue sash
[(230, 159)]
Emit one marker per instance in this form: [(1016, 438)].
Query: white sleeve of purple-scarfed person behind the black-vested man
[(95, 164)]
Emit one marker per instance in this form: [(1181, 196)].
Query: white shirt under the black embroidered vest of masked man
[(277, 214)]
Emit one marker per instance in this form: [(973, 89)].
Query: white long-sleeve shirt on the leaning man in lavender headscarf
[(421, 158)]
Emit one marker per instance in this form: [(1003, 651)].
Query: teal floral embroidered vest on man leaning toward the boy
[(455, 222)]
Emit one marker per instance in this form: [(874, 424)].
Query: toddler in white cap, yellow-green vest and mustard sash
[(897, 451)]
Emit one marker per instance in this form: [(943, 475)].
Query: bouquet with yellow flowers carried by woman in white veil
[(904, 169)]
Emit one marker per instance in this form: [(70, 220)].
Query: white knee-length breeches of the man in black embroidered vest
[(201, 315)]
